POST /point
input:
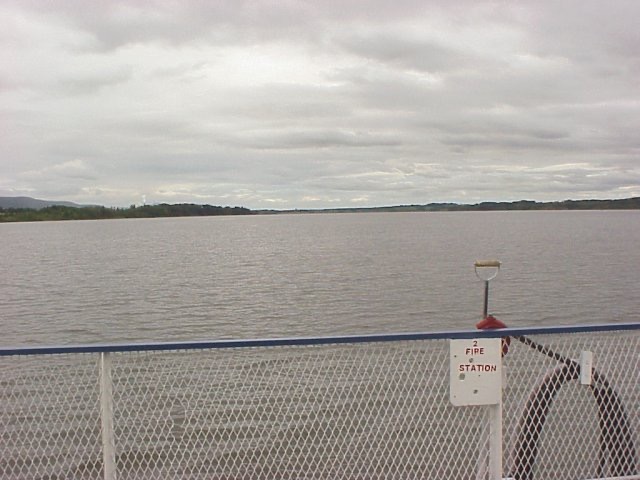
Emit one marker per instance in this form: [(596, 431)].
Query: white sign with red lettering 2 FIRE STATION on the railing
[(475, 371)]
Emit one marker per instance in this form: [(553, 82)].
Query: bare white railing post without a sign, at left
[(106, 416)]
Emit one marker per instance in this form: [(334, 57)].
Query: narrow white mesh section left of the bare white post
[(49, 417)]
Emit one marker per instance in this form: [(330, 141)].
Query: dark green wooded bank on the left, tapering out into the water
[(58, 212)]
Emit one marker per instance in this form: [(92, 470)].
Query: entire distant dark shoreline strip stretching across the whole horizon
[(63, 211)]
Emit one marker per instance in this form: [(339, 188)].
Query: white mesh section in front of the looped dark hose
[(557, 428)]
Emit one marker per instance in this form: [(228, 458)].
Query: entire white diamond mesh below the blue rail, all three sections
[(354, 411)]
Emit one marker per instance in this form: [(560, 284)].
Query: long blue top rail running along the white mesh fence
[(306, 341)]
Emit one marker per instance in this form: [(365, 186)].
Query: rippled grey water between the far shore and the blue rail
[(291, 275)]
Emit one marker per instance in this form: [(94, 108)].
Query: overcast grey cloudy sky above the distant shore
[(320, 103)]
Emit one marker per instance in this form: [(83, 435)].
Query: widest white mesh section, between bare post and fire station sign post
[(350, 411)]
